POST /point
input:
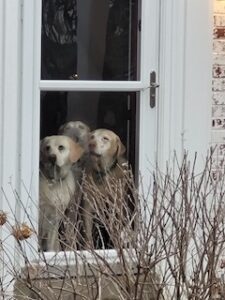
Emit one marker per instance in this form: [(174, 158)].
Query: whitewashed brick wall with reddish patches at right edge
[(218, 85)]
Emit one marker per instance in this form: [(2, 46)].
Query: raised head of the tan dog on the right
[(105, 147)]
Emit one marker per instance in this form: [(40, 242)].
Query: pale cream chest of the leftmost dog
[(56, 194)]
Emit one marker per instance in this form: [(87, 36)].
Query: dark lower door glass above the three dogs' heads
[(112, 110)]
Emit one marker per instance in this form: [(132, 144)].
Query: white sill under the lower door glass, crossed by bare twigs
[(78, 263)]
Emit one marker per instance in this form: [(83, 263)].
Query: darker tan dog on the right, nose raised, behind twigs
[(105, 171)]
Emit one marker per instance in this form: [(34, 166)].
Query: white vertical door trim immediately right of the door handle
[(171, 79)]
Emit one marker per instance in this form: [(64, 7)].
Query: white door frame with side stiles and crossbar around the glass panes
[(32, 87)]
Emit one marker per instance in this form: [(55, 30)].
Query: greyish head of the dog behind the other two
[(77, 131)]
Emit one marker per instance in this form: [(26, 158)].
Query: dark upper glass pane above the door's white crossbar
[(90, 40)]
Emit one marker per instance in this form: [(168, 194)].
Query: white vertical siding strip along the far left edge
[(10, 133)]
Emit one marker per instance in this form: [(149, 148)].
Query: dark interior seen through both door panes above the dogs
[(90, 40)]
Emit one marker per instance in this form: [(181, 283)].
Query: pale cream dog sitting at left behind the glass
[(56, 187)]
